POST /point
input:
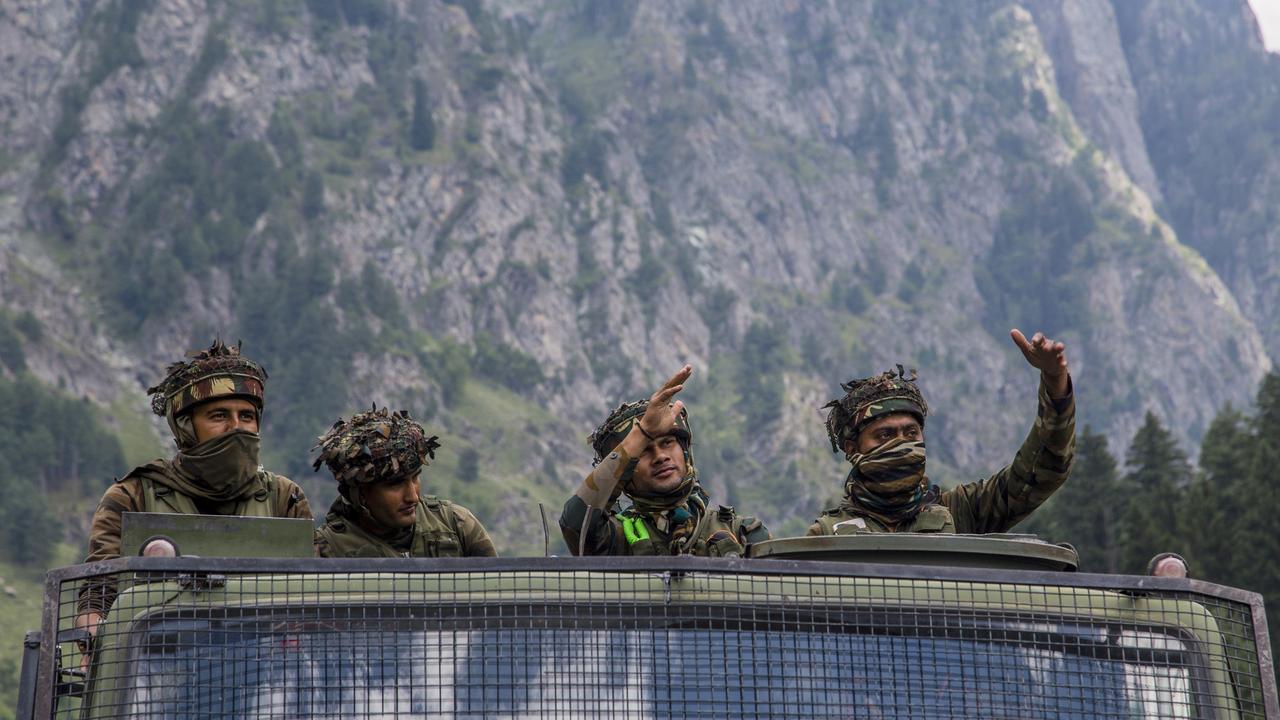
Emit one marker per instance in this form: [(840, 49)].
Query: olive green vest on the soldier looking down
[(436, 535)]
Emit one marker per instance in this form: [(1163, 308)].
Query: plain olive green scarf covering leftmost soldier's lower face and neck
[(221, 470)]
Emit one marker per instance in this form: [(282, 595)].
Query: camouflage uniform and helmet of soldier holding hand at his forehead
[(680, 523)]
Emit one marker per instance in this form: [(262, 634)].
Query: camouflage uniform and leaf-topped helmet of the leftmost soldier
[(177, 485)]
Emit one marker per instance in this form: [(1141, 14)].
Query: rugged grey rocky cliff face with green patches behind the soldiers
[(787, 195)]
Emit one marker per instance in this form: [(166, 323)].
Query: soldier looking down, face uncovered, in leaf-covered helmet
[(378, 461)]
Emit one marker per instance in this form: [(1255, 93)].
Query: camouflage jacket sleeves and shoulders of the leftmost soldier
[(277, 498)]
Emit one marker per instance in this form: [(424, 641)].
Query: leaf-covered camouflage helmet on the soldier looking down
[(374, 446)]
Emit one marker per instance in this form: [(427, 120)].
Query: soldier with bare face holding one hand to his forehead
[(643, 449)]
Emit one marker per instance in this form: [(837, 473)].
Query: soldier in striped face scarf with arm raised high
[(880, 426)]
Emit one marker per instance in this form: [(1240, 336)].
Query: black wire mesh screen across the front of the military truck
[(643, 640)]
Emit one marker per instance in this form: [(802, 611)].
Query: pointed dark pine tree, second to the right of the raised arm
[(1156, 486)]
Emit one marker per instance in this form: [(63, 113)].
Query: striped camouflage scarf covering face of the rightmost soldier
[(889, 482)]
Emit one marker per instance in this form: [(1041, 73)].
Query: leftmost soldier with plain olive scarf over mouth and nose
[(214, 407)]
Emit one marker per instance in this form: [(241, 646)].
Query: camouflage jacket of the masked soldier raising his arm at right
[(995, 504)]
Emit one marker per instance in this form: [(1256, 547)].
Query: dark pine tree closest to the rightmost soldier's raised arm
[(1087, 511)]
